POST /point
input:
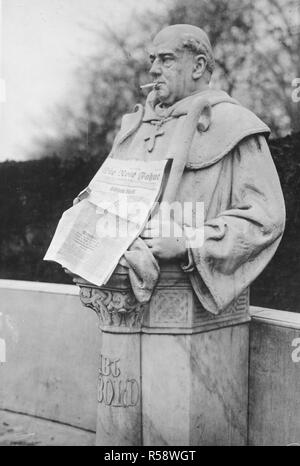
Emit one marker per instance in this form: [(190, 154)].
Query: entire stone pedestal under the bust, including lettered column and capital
[(170, 372)]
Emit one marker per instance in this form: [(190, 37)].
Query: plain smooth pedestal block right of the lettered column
[(195, 388)]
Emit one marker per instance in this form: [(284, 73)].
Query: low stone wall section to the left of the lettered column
[(51, 351)]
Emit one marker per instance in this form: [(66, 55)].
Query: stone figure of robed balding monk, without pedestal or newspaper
[(228, 168)]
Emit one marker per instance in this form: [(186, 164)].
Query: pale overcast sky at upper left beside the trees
[(42, 41)]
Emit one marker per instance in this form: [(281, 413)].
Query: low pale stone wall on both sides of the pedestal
[(50, 345)]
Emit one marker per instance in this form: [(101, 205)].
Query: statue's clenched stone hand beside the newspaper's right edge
[(165, 239)]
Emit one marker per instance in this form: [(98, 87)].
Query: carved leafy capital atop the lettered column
[(115, 309)]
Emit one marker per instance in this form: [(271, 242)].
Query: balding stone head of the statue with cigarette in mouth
[(182, 62)]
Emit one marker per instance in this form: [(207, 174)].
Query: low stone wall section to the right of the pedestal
[(274, 378)]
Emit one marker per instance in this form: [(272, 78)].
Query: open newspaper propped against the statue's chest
[(93, 235)]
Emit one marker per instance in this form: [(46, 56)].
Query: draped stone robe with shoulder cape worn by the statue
[(230, 170)]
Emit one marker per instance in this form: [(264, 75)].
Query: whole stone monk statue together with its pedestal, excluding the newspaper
[(188, 355)]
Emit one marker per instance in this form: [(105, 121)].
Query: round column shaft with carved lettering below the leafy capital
[(119, 391)]
